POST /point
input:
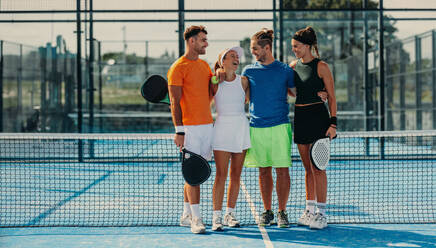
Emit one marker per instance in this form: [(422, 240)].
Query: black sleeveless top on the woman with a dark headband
[(307, 82)]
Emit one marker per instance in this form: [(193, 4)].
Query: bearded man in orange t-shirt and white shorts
[(188, 83)]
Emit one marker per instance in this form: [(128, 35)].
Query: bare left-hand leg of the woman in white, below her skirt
[(222, 164)]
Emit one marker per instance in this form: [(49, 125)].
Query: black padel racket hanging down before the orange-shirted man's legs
[(195, 169)]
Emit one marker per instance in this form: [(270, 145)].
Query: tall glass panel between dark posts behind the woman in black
[(341, 37)]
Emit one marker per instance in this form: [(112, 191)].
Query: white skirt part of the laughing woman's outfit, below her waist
[(231, 134)]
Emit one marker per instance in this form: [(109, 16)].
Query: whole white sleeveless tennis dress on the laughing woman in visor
[(231, 128)]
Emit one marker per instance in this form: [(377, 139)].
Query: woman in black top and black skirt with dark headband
[(312, 120)]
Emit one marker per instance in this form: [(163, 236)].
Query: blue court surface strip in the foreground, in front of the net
[(336, 235)]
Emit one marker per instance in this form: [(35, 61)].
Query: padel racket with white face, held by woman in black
[(320, 153)]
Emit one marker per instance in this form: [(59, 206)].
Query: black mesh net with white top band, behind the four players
[(136, 180)]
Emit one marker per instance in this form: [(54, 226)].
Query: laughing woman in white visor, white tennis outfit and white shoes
[(231, 135)]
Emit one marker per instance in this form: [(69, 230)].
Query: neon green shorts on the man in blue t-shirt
[(270, 147)]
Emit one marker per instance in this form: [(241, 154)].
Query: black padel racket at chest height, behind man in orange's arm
[(155, 89)]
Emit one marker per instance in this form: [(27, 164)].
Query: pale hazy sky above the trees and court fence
[(163, 36)]
